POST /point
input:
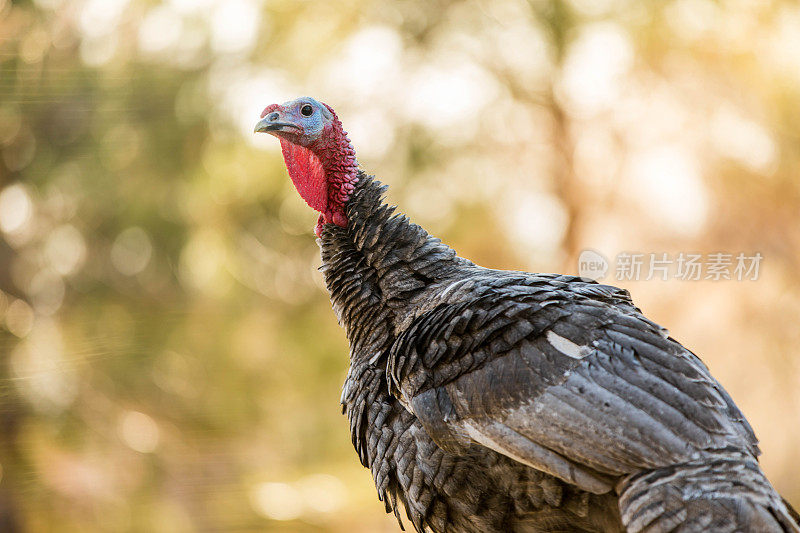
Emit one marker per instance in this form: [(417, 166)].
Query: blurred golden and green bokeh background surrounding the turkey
[(169, 361)]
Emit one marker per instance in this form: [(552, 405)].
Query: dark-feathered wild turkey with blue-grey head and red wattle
[(497, 401)]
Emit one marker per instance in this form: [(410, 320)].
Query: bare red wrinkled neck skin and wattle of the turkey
[(324, 173)]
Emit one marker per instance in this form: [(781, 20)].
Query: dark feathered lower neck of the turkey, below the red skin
[(379, 268)]
